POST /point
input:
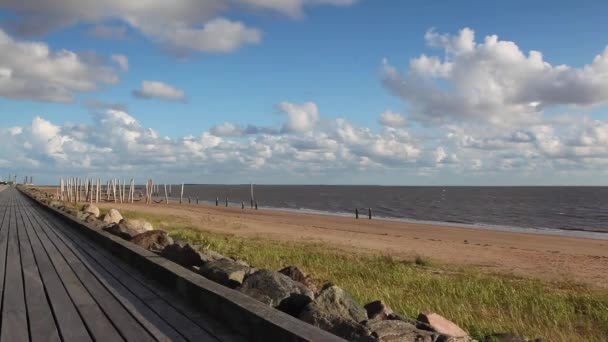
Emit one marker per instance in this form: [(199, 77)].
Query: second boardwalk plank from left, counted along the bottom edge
[(41, 321)]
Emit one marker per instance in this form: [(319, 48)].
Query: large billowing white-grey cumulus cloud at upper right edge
[(492, 81)]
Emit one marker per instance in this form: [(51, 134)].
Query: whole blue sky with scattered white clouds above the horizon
[(382, 92)]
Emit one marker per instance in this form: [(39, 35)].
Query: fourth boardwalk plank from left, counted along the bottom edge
[(93, 317)]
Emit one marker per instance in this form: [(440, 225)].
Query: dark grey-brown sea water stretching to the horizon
[(583, 209)]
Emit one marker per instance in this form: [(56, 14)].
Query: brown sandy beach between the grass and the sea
[(544, 256)]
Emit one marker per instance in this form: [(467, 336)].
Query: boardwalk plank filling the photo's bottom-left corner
[(14, 314)]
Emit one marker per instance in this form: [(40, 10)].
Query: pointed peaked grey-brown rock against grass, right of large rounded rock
[(333, 300)]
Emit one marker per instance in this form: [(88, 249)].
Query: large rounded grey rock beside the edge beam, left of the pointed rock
[(277, 290)]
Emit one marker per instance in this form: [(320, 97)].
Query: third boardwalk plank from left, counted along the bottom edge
[(70, 324)]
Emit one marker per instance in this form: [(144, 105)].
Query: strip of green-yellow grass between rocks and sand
[(480, 302)]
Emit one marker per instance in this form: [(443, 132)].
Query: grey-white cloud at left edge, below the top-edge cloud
[(31, 70)]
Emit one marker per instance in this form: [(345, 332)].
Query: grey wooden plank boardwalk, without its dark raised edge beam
[(57, 285)]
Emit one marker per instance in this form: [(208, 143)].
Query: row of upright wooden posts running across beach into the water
[(91, 190)]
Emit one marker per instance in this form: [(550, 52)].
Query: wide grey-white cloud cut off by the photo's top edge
[(180, 26)]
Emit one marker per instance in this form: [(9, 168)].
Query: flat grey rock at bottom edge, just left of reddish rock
[(387, 330)]
